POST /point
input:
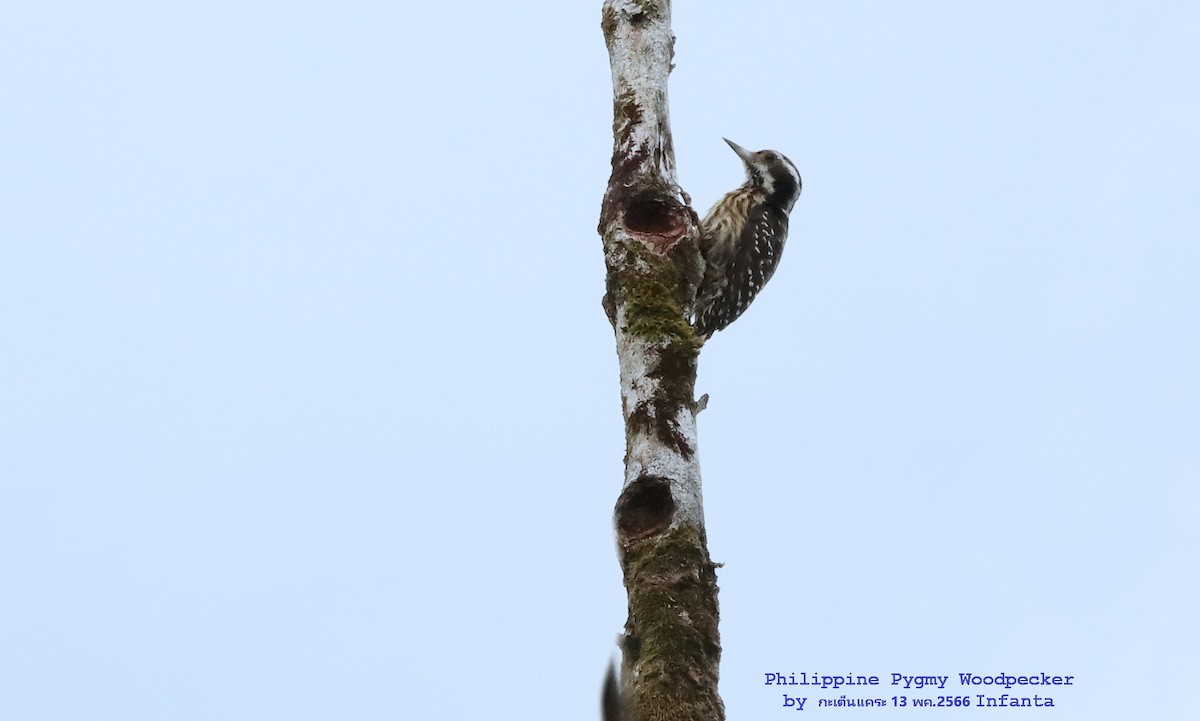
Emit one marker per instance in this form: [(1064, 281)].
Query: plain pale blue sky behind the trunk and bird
[(309, 408)]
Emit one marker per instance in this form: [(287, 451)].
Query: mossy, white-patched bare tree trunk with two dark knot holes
[(671, 647)]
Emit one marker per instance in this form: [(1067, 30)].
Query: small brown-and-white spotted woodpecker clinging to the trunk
[(742, 238)]
